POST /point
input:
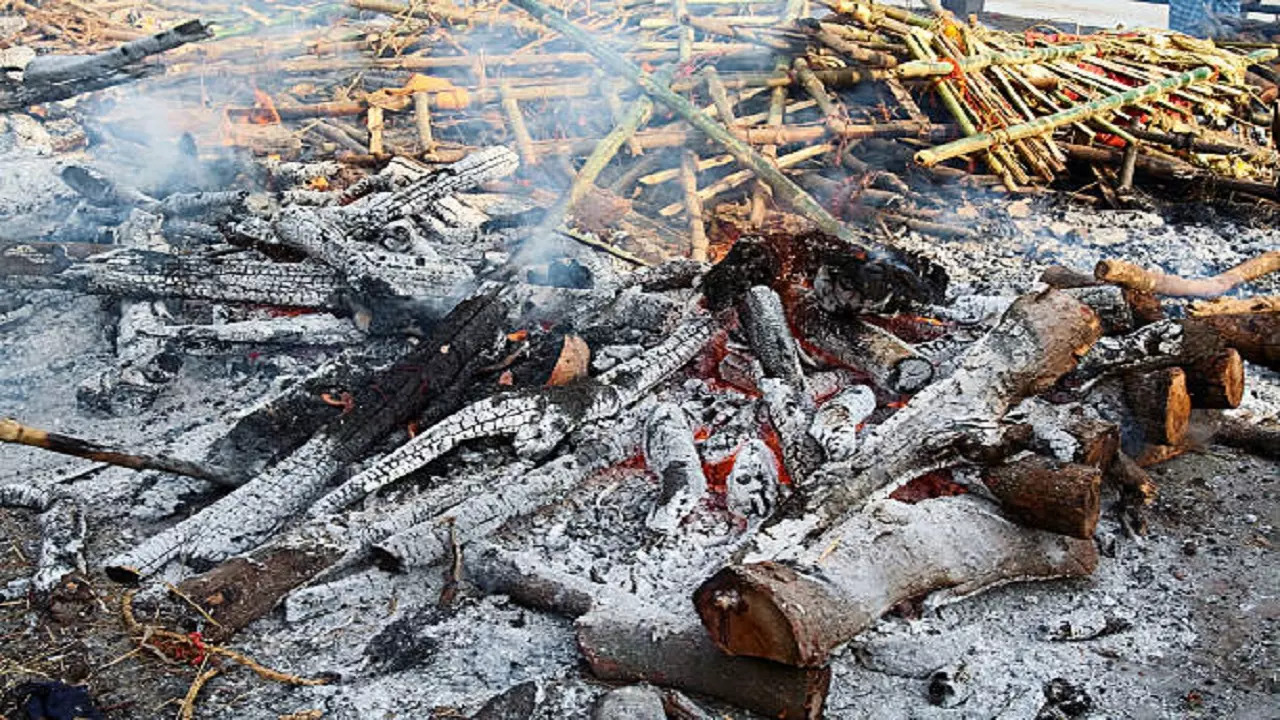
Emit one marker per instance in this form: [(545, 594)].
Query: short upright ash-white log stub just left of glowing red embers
[(670, 454)]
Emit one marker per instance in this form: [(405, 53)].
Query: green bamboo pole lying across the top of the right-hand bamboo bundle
[(1040, 126)]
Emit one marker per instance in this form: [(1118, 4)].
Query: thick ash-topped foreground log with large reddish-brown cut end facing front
[(834, 587)]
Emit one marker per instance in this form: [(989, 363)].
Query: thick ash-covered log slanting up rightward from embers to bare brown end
[(1036, 341)]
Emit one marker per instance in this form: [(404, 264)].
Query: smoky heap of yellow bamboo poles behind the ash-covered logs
[(811, 108)]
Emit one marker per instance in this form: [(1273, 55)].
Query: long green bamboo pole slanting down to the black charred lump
[(784, 189)]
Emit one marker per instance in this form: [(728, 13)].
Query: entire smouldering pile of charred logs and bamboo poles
[(724, 449)]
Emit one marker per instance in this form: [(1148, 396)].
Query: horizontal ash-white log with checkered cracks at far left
[(143, 275)]
